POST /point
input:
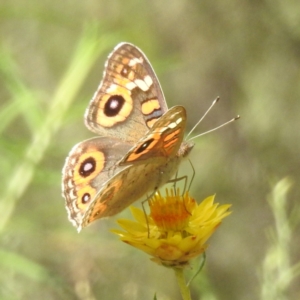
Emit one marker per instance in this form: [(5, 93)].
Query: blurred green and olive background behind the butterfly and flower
[(51, 61)]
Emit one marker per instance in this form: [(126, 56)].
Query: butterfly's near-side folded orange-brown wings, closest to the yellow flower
[(150, 163)]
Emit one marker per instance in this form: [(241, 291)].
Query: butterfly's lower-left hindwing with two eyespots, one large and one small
[(88, 167)]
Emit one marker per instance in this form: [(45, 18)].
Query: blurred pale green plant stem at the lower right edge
[(277, 266)]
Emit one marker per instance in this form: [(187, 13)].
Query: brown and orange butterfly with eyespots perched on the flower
[(139, 144)]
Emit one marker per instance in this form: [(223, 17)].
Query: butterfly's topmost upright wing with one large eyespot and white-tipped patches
[(129, 99)]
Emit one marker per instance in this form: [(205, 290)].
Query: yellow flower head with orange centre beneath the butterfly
[(176, 229)]
